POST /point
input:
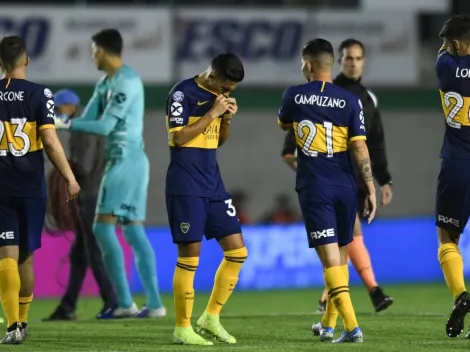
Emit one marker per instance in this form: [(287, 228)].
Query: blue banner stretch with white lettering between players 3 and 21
[(281, 256)]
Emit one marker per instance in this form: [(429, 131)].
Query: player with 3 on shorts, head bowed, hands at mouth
[(199, 114)]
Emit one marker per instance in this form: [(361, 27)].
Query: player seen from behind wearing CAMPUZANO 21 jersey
[(328, 121)]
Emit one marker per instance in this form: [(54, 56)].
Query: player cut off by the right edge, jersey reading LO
[(453, 190)]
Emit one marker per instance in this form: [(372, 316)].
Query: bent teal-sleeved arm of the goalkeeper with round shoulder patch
[(116, 109)]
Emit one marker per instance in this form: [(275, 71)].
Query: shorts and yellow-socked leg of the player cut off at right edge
[(452, 209)]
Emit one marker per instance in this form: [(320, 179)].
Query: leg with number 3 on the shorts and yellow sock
[(223, 225)]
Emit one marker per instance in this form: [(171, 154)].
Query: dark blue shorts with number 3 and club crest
[(191, 218)]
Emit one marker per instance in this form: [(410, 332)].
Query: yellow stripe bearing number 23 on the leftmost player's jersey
[(19, 138)]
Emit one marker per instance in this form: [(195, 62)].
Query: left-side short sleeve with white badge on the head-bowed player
[(178, 110)]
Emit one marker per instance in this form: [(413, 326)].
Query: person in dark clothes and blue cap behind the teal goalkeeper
[(87, 157)]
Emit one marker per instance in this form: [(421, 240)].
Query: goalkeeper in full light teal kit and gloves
[(116, 111)]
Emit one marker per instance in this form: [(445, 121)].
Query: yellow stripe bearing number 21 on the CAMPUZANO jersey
[(321, 138)]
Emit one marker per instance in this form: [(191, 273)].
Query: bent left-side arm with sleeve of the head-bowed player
[(178, 128)]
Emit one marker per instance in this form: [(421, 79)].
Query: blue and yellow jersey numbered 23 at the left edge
[(25, 109)]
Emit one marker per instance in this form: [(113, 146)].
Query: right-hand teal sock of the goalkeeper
[(145, 263)]
